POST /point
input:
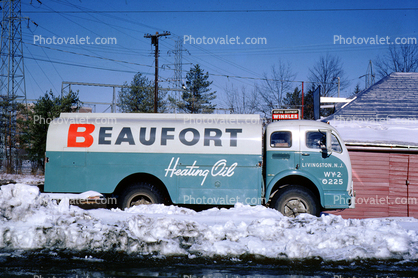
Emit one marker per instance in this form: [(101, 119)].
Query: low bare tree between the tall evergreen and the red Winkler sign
[(241, 101)]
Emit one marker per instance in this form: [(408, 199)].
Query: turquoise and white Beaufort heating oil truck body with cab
[(198, 159)]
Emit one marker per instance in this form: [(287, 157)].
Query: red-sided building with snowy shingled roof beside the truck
[(380, 128)]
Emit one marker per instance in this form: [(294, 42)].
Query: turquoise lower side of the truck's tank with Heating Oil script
[(186, 176)]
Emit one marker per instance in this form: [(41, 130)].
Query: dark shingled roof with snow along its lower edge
[(386, 114)]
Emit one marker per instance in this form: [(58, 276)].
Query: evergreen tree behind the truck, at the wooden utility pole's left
[(139, 96)]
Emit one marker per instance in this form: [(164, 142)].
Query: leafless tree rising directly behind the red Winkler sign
[(274, 87)]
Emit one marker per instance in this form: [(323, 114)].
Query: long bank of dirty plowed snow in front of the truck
[(31, 221)]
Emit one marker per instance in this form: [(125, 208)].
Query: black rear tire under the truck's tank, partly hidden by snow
[(140, 194)]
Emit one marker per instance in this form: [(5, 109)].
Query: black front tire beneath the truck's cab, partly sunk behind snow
[(294, 200)]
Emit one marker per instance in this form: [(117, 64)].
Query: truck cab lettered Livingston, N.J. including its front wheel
[(307, 168)]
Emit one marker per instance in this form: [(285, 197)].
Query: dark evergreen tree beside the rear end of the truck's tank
[(35, 126)]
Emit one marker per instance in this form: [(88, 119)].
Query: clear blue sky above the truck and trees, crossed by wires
[(297, 32)]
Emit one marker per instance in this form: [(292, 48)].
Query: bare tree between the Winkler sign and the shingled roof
[(326, 73)]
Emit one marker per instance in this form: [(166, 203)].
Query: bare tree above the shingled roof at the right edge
[(398, 58)]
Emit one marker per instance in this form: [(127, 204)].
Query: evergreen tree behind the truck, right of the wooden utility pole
[(197, 98)]
